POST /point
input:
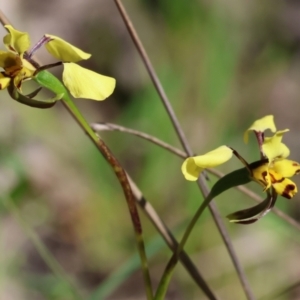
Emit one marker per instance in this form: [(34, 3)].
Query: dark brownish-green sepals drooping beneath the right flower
[(252, 214)]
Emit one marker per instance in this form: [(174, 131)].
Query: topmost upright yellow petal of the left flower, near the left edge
[(16, 40)]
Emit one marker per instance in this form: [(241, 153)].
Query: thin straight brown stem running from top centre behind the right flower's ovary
[(201, 182)]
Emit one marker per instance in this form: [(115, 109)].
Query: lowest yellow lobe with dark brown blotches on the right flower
[(283, 186)]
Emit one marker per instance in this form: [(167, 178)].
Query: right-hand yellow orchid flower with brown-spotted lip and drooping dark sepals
[(271, 171)]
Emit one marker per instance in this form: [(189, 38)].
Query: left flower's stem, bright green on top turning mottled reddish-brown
[(49, 81)]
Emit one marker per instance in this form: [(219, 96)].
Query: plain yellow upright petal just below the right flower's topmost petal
[(274, 148)]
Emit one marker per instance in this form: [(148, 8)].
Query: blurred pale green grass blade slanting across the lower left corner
[(47, 256)]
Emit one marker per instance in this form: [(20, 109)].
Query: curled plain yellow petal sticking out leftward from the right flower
[(193, 166)]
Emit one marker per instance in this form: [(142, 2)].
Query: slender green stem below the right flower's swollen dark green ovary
[(167, 275)]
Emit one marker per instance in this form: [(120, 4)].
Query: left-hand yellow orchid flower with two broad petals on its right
[(18, 66)]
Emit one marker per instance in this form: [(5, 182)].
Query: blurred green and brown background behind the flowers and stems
[(223, 64)]
